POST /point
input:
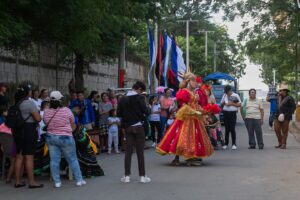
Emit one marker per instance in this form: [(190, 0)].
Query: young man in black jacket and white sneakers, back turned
[(132, 110)]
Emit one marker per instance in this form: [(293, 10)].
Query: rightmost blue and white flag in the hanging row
[(178, 65)]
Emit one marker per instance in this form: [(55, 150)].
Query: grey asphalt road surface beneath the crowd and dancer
[(228, 175)]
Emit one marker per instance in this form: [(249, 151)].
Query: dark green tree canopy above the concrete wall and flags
[(93, 28)]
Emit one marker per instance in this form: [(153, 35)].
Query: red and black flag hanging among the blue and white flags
[(159, 60)]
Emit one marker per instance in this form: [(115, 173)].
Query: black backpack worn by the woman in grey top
[(14, 119)]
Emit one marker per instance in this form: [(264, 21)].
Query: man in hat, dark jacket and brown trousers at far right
[(284, 114)]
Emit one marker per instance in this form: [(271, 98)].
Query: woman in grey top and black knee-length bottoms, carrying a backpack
[(26, 138)]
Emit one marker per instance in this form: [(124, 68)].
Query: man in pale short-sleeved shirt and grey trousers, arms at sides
[(253, 114)]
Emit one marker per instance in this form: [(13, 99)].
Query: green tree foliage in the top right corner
[(271, 35)]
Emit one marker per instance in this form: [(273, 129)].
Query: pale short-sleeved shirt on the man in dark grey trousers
[(253, 108)]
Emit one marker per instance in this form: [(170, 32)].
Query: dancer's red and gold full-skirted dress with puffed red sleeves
[(187, 136)]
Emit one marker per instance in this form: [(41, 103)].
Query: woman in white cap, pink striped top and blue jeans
[(60, 125)]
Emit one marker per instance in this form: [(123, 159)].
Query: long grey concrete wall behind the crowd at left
[(99, 77)]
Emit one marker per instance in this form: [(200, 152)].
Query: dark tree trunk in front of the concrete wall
[(79, 64)]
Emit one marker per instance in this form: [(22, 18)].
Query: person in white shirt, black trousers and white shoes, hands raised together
[(231, 102)]
